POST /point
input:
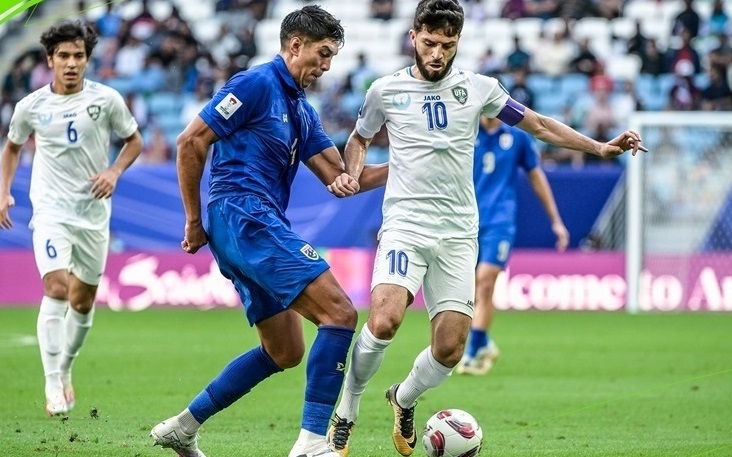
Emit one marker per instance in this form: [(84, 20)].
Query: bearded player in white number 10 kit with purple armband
[(430, 218)]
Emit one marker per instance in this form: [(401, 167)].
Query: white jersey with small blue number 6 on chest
[(72, 134)]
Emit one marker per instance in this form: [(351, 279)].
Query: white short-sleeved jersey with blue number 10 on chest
[(432, 128)]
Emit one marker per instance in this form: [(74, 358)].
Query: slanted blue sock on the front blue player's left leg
[(236, 379)]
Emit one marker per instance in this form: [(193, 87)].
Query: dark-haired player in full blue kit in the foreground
[(261, 126)]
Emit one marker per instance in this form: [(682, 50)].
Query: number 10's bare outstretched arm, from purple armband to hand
[(554, 132)]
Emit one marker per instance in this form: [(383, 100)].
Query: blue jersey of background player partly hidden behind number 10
[(498, 156)]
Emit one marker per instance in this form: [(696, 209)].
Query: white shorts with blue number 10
[(445, 266)]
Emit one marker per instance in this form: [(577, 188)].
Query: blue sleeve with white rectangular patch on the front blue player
[(236, 103)]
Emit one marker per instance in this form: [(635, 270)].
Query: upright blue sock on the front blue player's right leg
[(325, 372)]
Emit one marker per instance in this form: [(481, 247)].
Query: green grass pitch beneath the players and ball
[(567, 384)]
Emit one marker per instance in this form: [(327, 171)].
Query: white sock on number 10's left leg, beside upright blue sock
[(366, 357)]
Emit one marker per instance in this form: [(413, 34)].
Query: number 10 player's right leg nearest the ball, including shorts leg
[(449, 287)]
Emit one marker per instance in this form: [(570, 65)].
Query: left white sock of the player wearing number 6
[(51, 336)]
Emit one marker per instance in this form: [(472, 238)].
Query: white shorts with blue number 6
[(82, 252)]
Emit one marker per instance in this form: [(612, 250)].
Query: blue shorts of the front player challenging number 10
[(256, 249)]
